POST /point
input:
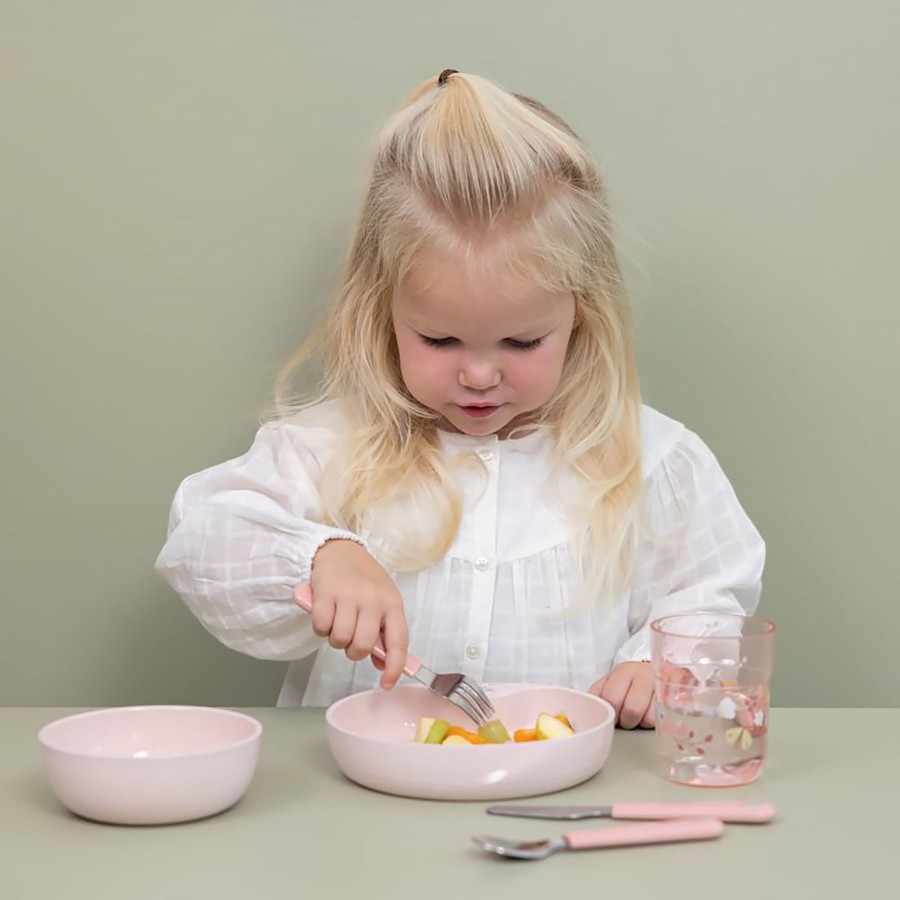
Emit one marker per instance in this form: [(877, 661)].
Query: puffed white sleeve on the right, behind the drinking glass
[(699, 551)]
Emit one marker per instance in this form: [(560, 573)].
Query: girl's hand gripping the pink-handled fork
[(354, 602)]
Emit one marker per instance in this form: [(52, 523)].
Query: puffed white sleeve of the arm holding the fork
[(242, 534)]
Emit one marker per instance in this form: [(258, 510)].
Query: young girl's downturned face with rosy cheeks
[(483, 348)]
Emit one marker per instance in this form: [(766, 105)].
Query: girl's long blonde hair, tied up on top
[(461, 163)]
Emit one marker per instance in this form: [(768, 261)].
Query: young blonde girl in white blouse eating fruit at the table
[(478, 479)]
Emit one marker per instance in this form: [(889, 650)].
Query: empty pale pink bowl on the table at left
[(150, 765)]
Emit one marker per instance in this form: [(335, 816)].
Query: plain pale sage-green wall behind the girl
[(178, 180)]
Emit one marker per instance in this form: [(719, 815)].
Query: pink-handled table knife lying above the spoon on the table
[(725, 811)]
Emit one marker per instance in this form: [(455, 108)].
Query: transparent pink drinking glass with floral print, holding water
[(712, 674)]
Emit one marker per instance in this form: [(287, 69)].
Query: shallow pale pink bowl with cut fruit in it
[(371, 739)]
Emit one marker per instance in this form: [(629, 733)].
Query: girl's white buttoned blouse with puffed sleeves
[(243, 533)]
